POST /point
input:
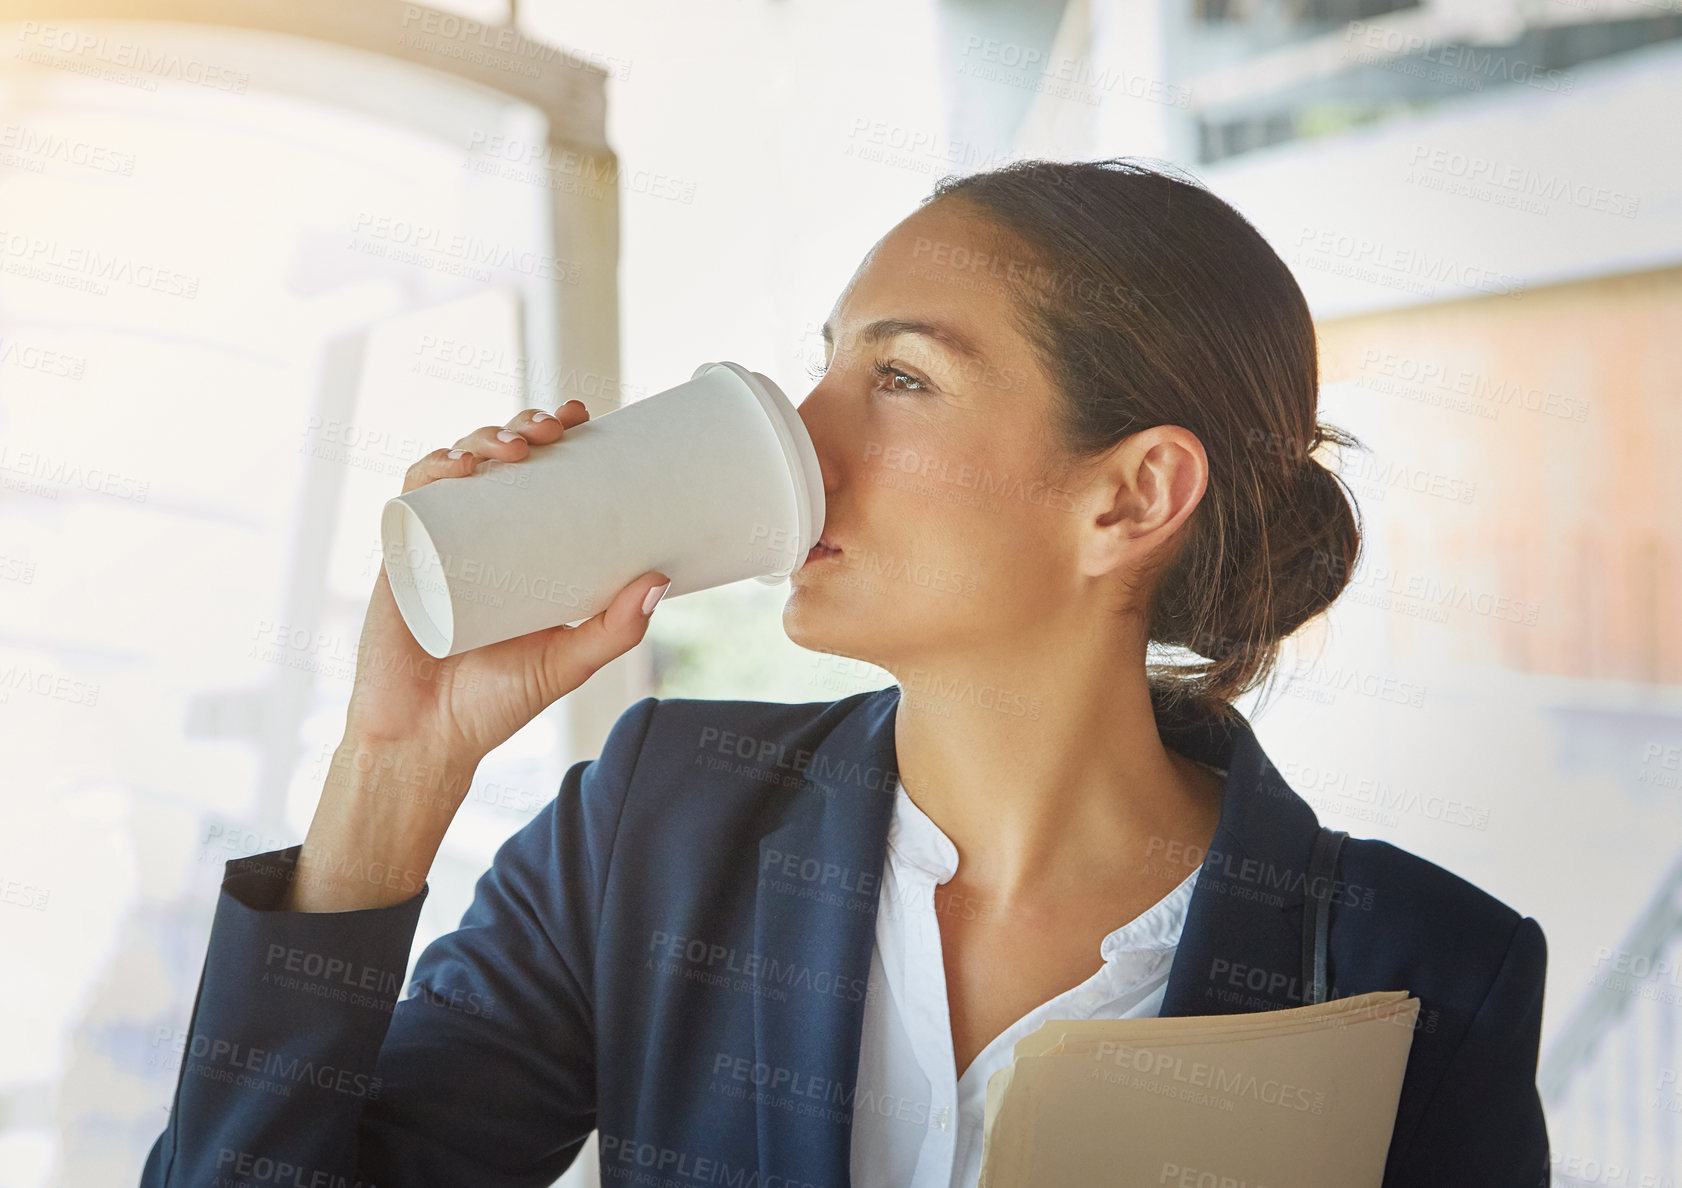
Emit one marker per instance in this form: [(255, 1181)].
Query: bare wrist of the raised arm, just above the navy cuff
[(378, 829)]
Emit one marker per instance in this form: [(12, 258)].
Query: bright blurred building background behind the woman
[(257, 257)]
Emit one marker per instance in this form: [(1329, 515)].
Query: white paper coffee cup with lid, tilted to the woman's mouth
[(709, 482)]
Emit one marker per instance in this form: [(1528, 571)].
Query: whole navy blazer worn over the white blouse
[(675, 953)]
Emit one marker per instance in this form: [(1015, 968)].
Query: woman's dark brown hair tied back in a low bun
[(1153, 302)]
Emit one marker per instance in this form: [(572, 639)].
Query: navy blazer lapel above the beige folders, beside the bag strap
[(1242, 945)]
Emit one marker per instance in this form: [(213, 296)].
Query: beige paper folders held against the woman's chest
[(1303, 1098)]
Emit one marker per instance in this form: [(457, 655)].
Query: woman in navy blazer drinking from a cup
[(1067, 415)]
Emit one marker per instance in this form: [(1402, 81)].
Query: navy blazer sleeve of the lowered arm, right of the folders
[(1484, 1128)]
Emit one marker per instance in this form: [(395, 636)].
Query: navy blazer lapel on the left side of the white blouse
[(840, 817)]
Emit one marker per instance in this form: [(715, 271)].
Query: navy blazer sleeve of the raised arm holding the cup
[(302, 1066)]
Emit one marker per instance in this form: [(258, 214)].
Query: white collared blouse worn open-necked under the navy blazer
[(918, 1123)]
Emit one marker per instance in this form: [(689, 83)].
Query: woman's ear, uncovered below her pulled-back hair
[(1143, 491)]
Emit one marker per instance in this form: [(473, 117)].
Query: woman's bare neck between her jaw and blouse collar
[(1052, 787)]
